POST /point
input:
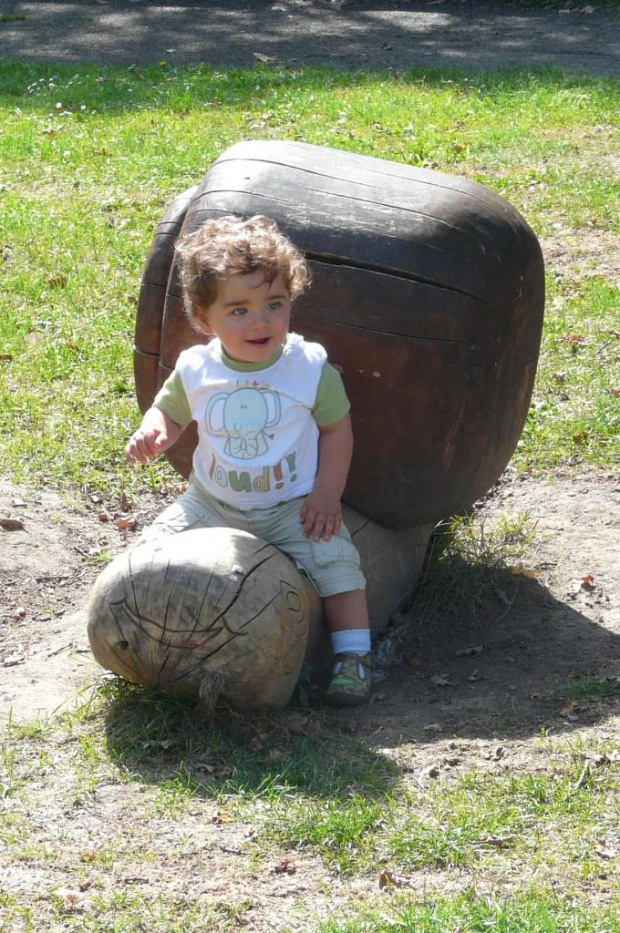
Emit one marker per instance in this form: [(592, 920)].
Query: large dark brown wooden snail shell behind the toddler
[(428, 295)]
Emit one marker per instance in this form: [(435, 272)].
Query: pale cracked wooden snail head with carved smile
[(210, 612)]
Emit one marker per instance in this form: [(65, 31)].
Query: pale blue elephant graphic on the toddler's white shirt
[(244, 415)]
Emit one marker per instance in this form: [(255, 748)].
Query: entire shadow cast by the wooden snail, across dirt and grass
[(532, 665)]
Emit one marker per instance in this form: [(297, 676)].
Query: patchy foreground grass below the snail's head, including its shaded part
[(510, 849)]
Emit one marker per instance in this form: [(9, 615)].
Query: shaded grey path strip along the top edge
[(341, 35)]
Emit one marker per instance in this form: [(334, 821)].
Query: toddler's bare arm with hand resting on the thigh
[(321, 513)]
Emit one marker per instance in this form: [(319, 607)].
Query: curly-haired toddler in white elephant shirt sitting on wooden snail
[(274, 431)]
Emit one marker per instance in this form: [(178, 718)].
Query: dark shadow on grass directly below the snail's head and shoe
[(161, 739)]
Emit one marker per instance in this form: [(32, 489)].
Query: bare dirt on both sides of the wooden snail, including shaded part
[(502, 675)]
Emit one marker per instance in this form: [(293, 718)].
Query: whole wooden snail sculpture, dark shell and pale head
[(428, 294)]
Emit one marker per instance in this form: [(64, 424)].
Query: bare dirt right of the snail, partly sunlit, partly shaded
[(544, 628)]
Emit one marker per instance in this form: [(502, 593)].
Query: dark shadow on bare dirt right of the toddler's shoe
[(530, 664)]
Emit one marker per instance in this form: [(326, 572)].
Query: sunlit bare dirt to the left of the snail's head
[(49, 561)]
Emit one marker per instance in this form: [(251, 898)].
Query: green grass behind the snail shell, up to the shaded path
[(90, 156)]
